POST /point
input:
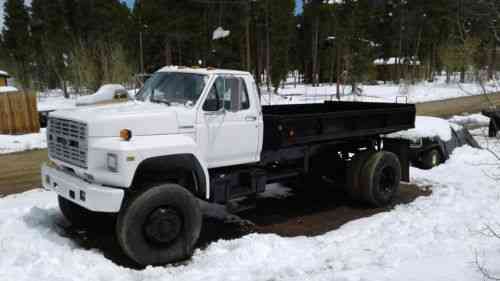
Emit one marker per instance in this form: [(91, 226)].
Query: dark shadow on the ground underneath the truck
[(299, 214)]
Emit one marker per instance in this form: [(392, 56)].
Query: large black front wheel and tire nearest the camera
[(160, 225)]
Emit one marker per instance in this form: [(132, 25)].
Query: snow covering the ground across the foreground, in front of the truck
[(433, 238)]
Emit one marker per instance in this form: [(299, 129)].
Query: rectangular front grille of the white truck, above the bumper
[(67, 141)]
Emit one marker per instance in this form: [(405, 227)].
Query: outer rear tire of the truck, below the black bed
[(371, 175)]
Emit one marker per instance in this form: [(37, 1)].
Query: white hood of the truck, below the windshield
[(142, 118)]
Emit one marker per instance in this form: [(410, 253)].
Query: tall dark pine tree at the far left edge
[(16, 40)]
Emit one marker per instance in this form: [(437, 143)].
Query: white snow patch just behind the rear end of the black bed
[(426, 127)]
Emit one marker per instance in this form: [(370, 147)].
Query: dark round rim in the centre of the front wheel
[(163, 225)]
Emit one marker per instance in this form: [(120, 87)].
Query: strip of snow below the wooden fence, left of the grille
[(17, 143)]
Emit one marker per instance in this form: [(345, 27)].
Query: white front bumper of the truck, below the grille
[(90, 196)]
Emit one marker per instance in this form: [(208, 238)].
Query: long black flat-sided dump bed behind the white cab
[(300, 124)]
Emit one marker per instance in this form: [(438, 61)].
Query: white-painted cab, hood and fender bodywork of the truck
[(215, 140)]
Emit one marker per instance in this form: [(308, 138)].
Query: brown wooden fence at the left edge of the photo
[(18, 113)]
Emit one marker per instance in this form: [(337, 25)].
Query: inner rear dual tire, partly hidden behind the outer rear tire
[(353, 174)]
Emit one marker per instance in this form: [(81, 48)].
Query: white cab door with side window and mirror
[(231, 122)]
